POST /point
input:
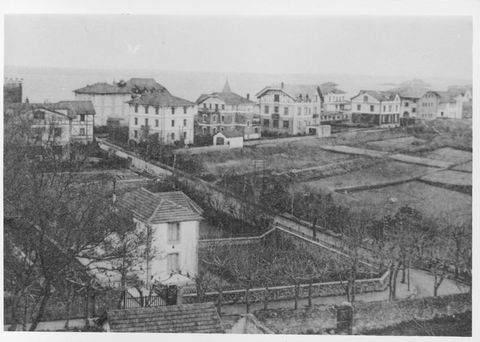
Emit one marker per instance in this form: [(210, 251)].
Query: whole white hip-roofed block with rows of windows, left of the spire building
[(159, 112)]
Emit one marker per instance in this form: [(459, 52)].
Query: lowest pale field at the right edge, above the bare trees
[(429, 200)]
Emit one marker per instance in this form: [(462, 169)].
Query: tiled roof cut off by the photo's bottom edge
[(186, 318)]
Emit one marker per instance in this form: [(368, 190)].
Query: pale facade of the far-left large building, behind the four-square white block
[(107, 106)]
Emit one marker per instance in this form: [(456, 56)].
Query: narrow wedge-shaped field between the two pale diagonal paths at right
[(383, 171)]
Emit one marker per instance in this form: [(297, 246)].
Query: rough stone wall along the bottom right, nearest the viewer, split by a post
[(366, 316)]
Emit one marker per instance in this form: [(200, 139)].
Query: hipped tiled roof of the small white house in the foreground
[(161, 207)]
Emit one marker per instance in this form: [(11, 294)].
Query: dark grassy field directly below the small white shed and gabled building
[(279, 158)]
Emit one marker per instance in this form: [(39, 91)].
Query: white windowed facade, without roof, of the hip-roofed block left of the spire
[(172, 123)]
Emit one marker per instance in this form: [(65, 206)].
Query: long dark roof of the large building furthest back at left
[(133, 85)]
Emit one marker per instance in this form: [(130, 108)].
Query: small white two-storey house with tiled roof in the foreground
[(172, 220)]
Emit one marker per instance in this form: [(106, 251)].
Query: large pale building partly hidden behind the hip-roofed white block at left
[(110, 100)]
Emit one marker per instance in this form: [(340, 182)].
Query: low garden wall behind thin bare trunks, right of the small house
[(275, 293)]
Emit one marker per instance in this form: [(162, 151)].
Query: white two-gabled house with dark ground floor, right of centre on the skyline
[(376, 108)]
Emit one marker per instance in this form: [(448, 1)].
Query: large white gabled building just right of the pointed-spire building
[(289, 109)]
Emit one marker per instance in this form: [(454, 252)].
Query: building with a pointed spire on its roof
[(227, 111)]
